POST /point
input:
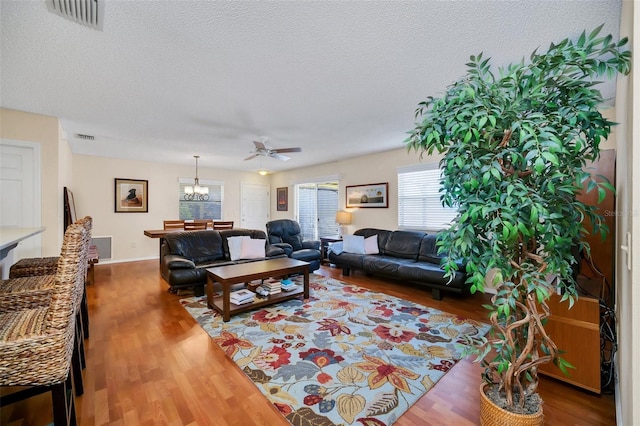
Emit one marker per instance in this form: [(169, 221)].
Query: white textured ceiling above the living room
[(165, 80)]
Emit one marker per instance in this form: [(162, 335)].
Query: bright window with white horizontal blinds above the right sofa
[(419, 205)]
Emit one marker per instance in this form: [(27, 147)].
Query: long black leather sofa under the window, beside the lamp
[(406, 256)]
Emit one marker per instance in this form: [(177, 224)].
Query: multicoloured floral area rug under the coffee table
[(347, 356)]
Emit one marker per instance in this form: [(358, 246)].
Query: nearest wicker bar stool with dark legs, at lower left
[(37, 342)]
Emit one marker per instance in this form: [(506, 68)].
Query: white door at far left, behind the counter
[(20, 192)]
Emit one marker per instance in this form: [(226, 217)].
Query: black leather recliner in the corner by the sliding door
[(285, 233)]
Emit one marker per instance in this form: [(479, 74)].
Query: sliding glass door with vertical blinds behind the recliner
[(317, 204)]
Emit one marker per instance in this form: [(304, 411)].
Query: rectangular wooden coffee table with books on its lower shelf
[(245, 272)]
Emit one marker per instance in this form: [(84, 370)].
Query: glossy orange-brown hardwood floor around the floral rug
[(150, 363)]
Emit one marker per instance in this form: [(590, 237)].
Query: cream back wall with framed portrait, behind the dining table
[(93, 188)]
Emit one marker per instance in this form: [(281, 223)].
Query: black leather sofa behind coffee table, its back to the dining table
[(186, 255)]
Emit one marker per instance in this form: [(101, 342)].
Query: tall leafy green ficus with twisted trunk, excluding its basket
[(515, 144)]
